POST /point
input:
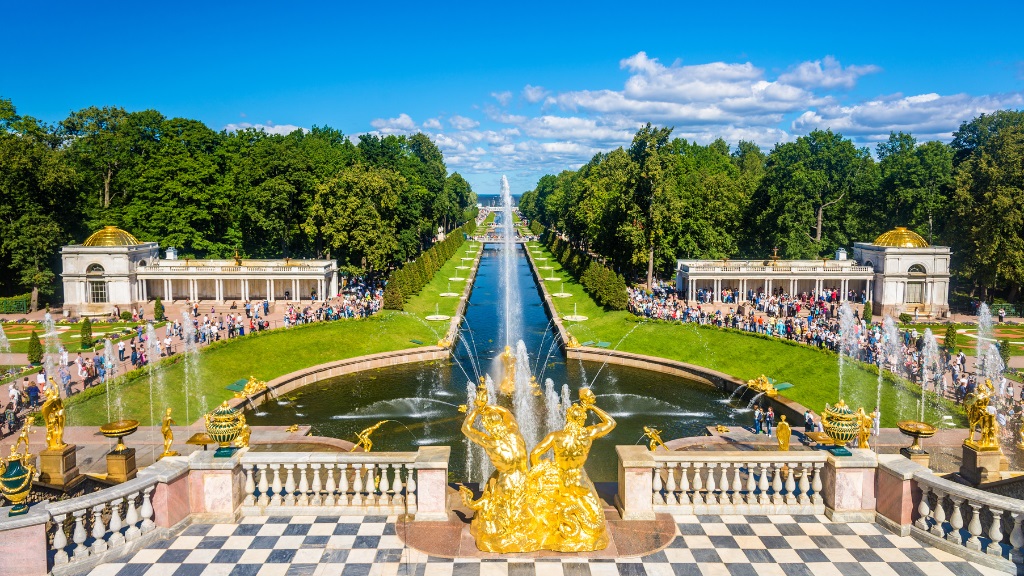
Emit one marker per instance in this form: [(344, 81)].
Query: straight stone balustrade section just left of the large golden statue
[(347, 483)]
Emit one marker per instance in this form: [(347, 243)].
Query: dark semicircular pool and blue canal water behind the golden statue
[(422, 399)]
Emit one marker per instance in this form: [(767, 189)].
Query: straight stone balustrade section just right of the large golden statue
[(720, 483)]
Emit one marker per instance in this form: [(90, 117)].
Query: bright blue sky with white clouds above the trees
[(528, 89)]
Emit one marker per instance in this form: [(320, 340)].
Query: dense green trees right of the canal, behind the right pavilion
[(666, 198)]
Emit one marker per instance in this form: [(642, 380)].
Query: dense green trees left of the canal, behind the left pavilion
[(371, 204)]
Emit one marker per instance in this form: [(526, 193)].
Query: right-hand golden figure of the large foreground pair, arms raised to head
[(573, 516)]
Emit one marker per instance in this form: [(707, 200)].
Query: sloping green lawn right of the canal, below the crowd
[(815, 374)]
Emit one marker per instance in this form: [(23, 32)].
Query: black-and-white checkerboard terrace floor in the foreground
[(783, 546)]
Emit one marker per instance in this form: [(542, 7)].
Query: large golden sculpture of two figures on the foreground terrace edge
[(532, 503)]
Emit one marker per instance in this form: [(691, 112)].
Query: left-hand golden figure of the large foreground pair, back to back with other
[(504, 521)]
